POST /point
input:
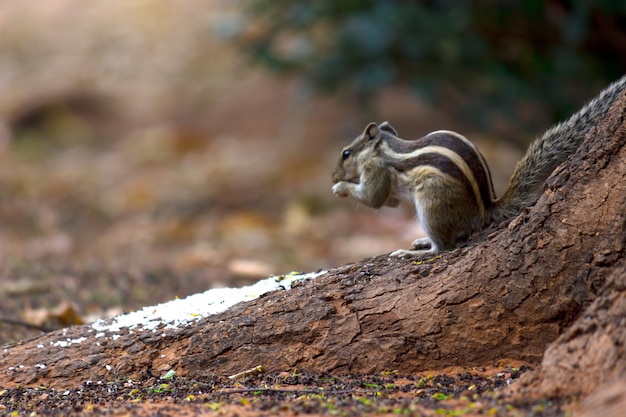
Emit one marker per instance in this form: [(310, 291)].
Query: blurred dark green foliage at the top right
[(502, 53)]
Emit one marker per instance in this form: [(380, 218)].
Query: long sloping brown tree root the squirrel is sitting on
[(505, 297)]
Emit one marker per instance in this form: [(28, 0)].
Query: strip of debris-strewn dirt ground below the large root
[(472, 393)]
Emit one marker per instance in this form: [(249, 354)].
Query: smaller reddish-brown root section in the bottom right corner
[(589, 358)]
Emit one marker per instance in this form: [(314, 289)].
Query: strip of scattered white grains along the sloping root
[(181, 312)]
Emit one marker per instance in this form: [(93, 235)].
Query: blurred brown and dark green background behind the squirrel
[(150, 149)]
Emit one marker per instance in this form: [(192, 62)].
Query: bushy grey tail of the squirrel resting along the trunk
[(550, 150)]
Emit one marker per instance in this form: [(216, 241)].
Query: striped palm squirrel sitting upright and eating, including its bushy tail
[(447, 178)]
